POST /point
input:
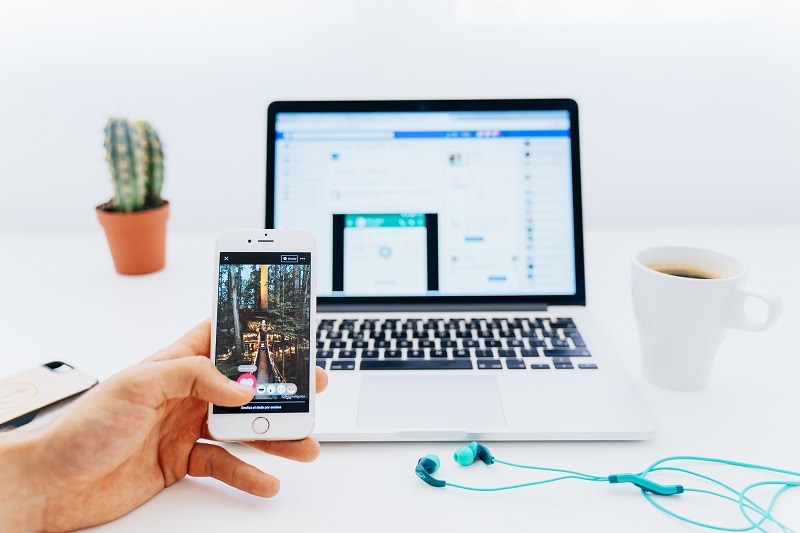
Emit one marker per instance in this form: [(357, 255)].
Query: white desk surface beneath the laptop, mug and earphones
[(63, 300)]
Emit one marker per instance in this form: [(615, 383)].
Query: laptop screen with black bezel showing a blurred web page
[(449, 201)]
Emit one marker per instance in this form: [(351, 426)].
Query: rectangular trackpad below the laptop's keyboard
[(430, 402)]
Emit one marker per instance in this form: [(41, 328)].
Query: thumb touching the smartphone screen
[(185, 377)]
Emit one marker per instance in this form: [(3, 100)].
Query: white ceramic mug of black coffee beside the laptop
[(683, 316)]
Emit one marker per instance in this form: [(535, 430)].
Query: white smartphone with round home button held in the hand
[(262, 332)]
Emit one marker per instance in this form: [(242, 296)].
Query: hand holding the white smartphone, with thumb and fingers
[(135, 434)]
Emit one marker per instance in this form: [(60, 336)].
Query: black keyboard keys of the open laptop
[(452, 343)]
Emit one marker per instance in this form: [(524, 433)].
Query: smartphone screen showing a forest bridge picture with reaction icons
[(263, 328)]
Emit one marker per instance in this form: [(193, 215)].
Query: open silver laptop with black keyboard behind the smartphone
[(451, 291)]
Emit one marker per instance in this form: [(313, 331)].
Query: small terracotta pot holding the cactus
[(137, 240)]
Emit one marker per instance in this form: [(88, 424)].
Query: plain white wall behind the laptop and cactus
[(689, 108)]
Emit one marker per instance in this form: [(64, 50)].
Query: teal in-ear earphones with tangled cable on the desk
[(756, 515)]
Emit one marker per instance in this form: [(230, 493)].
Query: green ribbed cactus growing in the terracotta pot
[(134, 155)]
